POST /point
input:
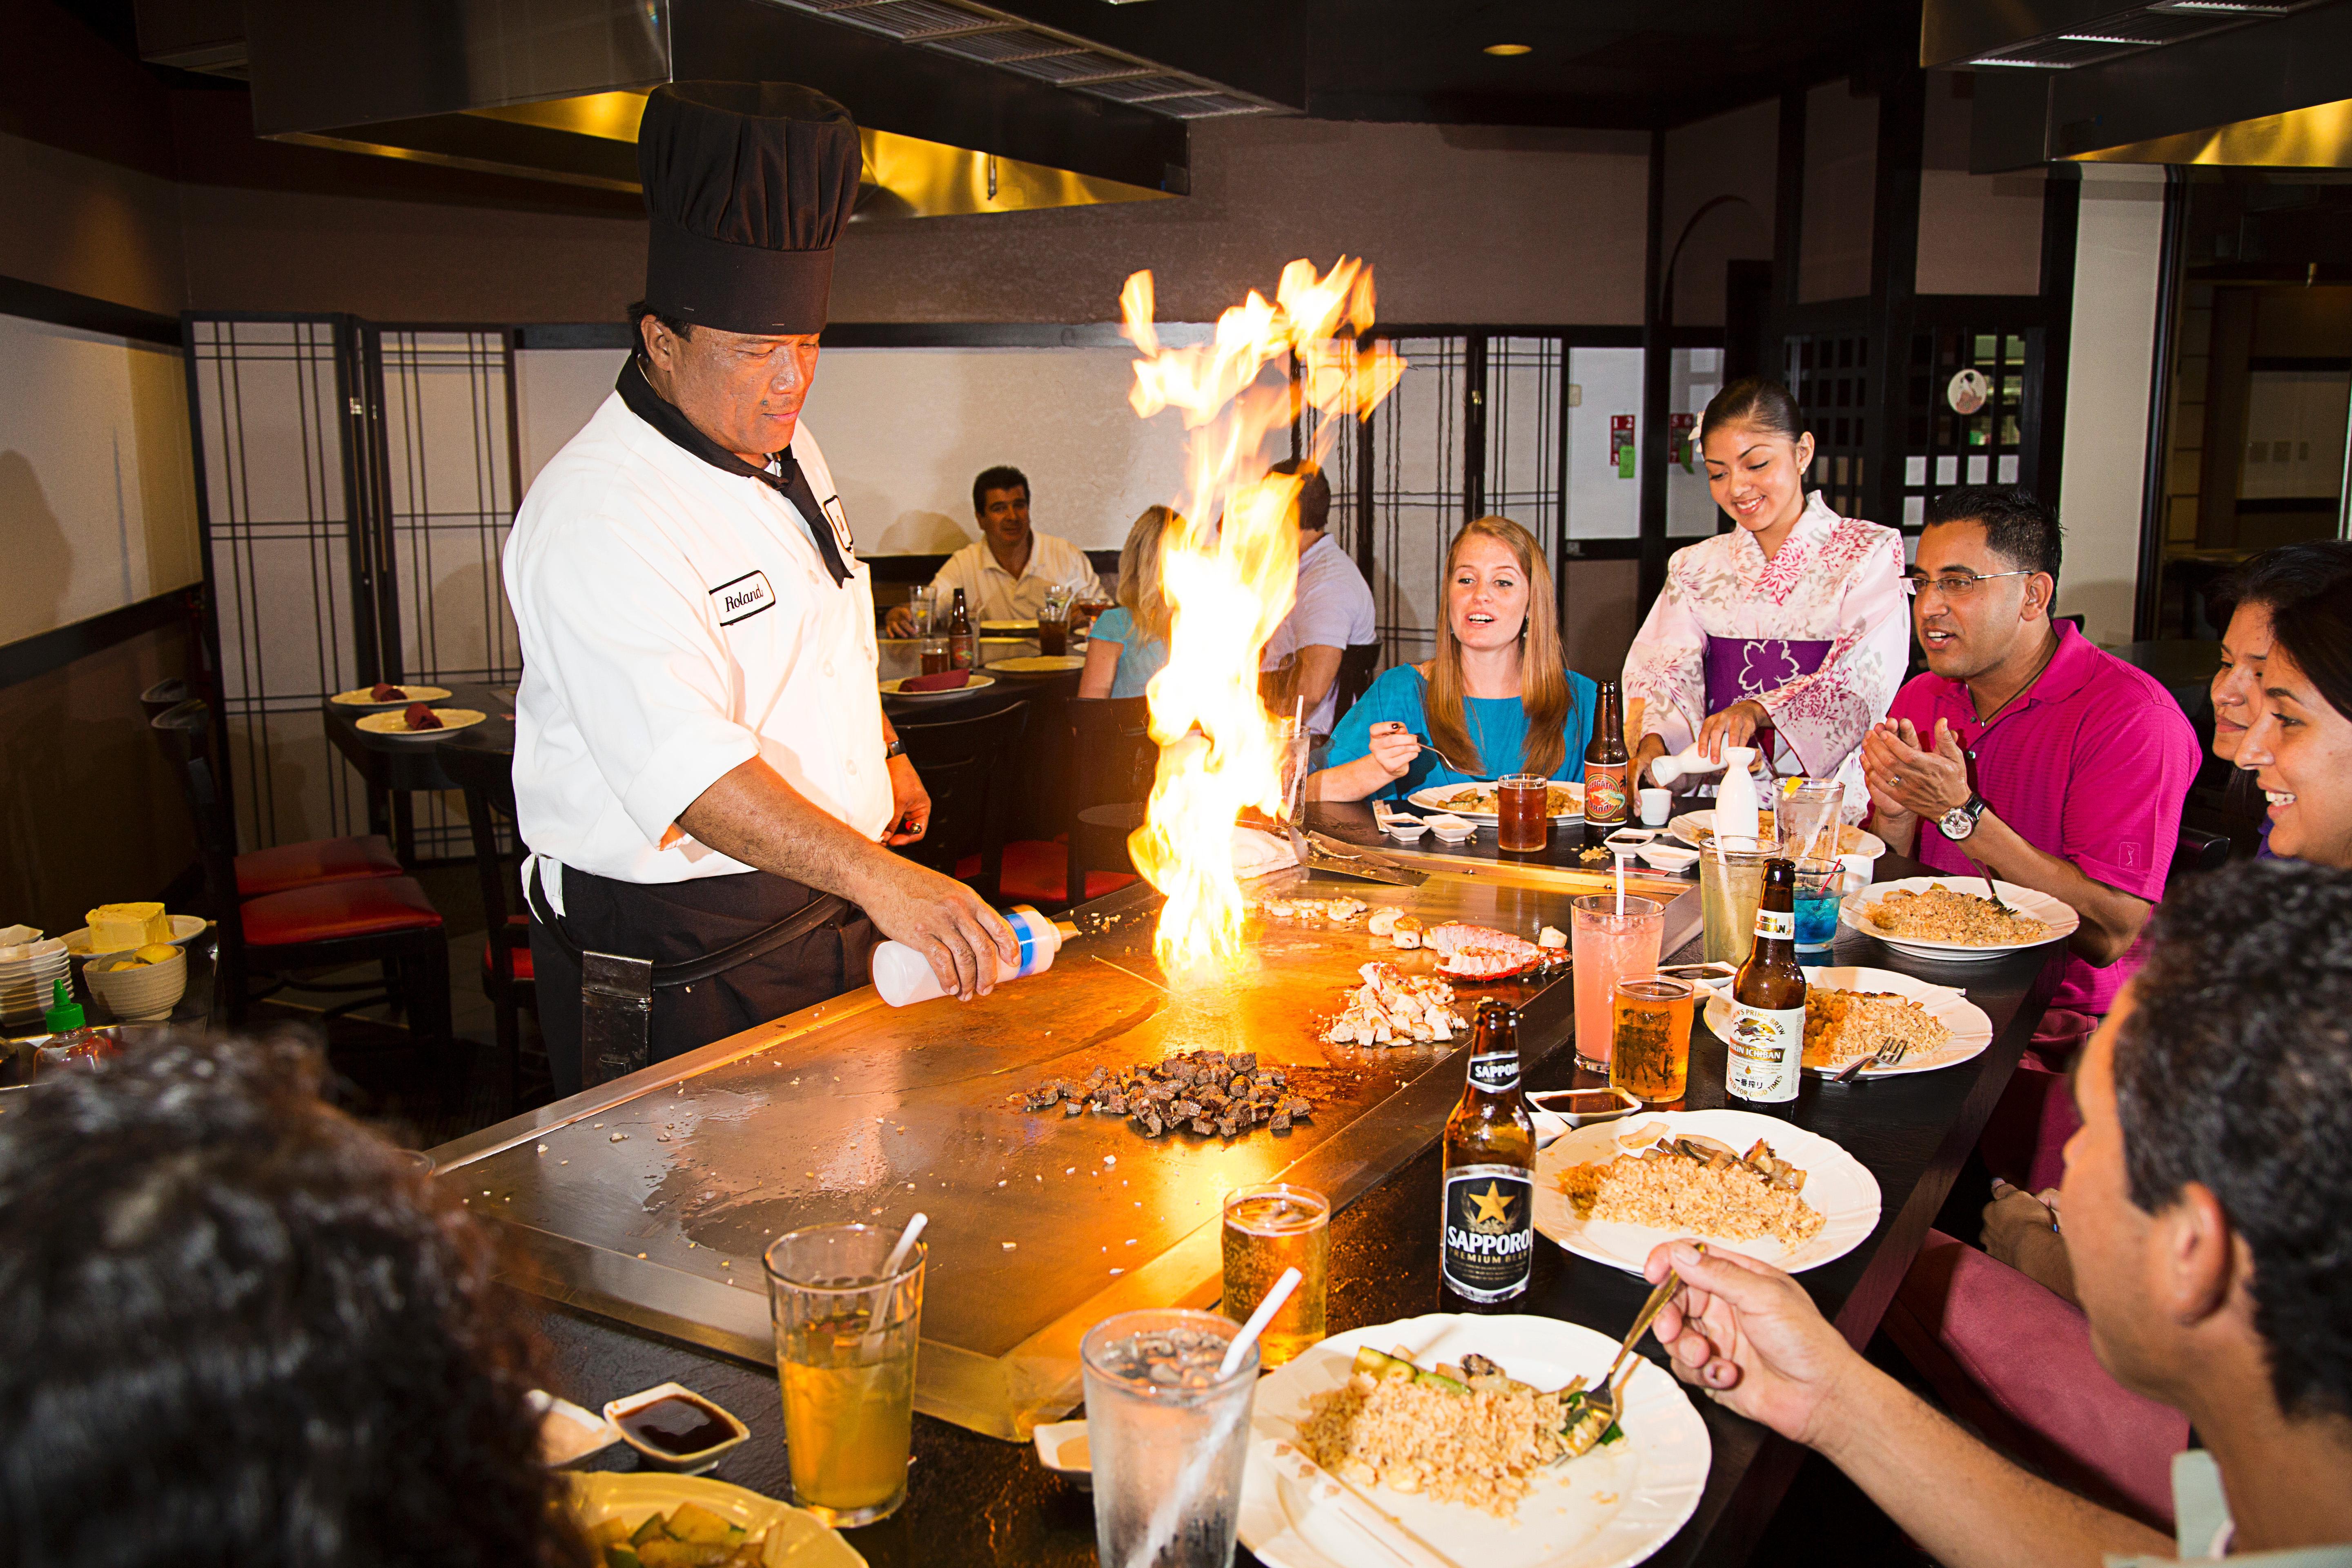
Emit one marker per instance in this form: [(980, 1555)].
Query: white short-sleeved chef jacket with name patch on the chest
[(679, 622)]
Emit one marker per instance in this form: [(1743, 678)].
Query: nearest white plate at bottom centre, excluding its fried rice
[(1603, 1510)]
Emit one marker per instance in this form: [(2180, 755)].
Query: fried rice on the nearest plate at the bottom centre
[(1481, 1449)]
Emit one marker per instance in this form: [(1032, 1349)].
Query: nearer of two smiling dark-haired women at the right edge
[(2301, 739)]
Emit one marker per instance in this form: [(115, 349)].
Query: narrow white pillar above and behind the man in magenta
[(2111, 375)]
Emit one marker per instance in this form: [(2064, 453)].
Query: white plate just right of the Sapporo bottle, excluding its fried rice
[(1836, 1186)]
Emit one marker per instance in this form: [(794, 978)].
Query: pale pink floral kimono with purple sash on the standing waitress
[(1817, 636)]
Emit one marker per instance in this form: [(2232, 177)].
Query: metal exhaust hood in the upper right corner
[(2179, 81)]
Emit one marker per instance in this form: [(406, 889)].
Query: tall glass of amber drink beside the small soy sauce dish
[(846, 1355)]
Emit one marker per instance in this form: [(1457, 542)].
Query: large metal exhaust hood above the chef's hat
[(965, 109)]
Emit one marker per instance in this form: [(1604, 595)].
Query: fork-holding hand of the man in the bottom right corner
[(1751, 1336)]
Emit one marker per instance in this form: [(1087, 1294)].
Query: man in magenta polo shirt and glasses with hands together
[(2031, 753)]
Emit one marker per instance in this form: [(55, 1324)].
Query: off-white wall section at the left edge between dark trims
[(98, 502)]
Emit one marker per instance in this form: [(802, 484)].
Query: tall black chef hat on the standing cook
[(747, 187)]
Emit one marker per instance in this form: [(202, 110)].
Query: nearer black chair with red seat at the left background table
[(328, 925)]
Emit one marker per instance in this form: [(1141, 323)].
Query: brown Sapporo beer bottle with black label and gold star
[(1488, 1235)]
